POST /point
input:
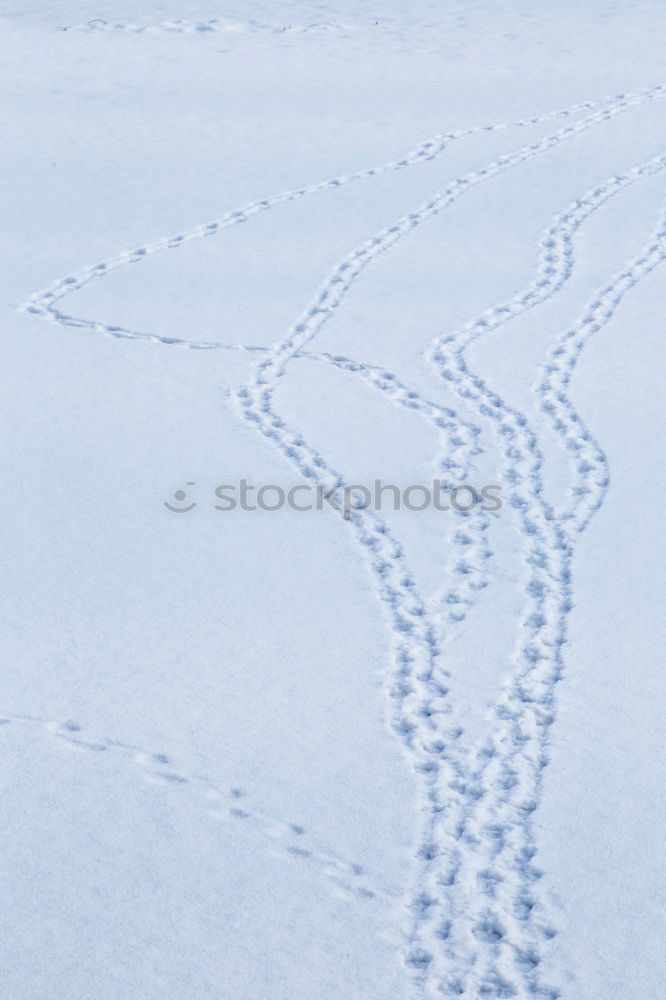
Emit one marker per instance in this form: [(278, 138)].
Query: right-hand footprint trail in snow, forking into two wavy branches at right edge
[(504, 923)]
